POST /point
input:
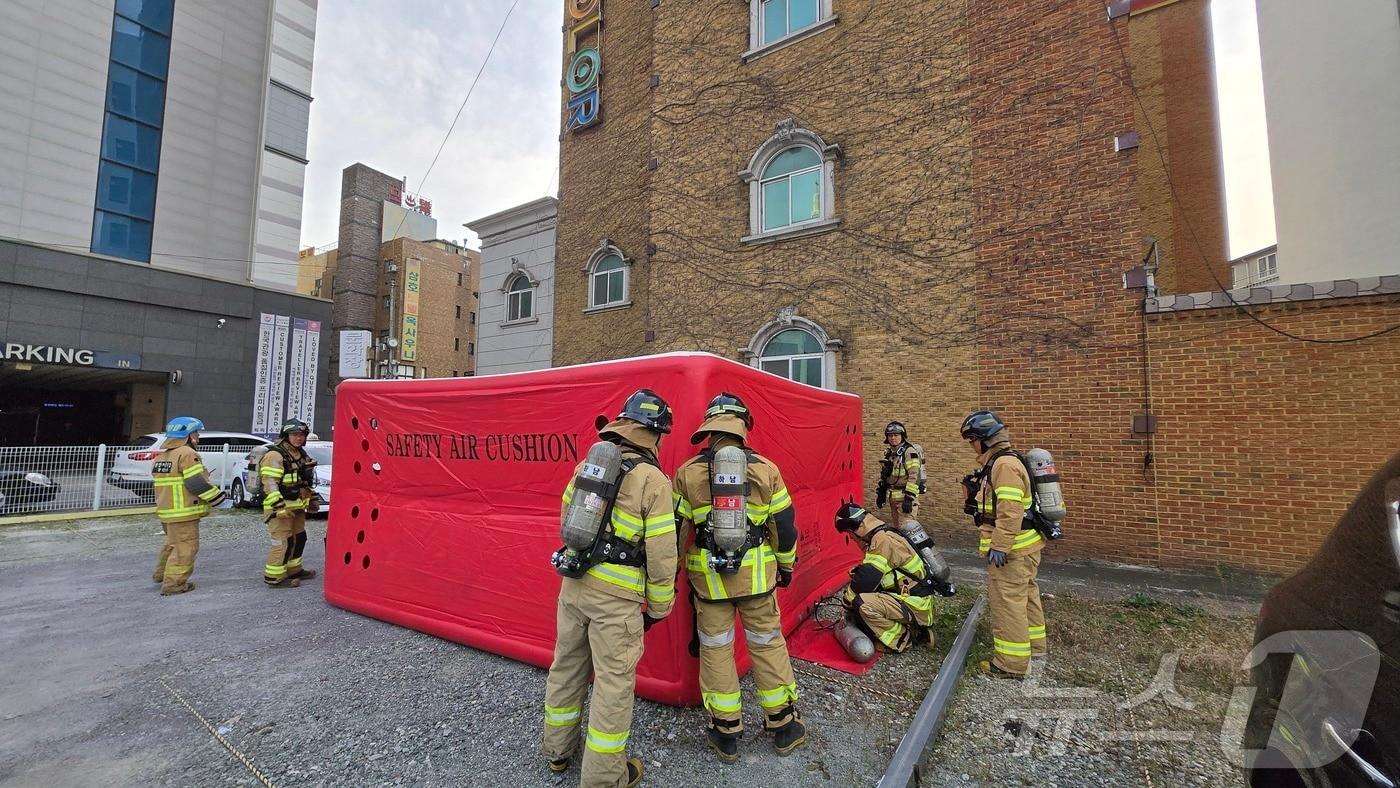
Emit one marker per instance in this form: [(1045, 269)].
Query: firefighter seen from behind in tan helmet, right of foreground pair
[(744, 547)]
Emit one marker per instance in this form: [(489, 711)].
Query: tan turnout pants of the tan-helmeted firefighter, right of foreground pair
[(768, 649)]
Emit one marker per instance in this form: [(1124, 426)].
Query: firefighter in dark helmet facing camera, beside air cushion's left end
[(288, 474)]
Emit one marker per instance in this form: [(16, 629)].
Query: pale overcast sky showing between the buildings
[(391, 76)]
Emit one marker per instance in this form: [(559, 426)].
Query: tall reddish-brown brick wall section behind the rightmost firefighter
[(1060, 341)]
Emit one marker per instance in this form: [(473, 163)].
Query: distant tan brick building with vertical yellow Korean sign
[(447, 304)]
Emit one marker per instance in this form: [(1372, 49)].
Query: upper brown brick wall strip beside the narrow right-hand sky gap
[(1178, 121)]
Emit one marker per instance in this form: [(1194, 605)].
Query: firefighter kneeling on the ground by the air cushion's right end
[(891, 597)]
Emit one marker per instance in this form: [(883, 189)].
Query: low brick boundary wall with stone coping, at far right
[(1262, 440)]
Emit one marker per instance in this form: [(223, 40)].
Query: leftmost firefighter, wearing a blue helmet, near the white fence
[(184, 496)]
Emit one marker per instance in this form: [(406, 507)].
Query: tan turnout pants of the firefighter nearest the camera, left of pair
[(597, 633)]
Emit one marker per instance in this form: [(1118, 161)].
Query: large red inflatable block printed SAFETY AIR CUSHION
[(449, 496)]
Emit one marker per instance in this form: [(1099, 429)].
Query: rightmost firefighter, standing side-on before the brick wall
[(1000, 499)]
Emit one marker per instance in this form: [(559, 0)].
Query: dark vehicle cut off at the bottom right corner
[(1328, 706)]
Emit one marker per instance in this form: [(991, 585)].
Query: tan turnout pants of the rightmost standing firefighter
[(1018, 622)]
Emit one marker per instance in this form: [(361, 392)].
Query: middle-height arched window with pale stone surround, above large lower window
[(790, 185)]
